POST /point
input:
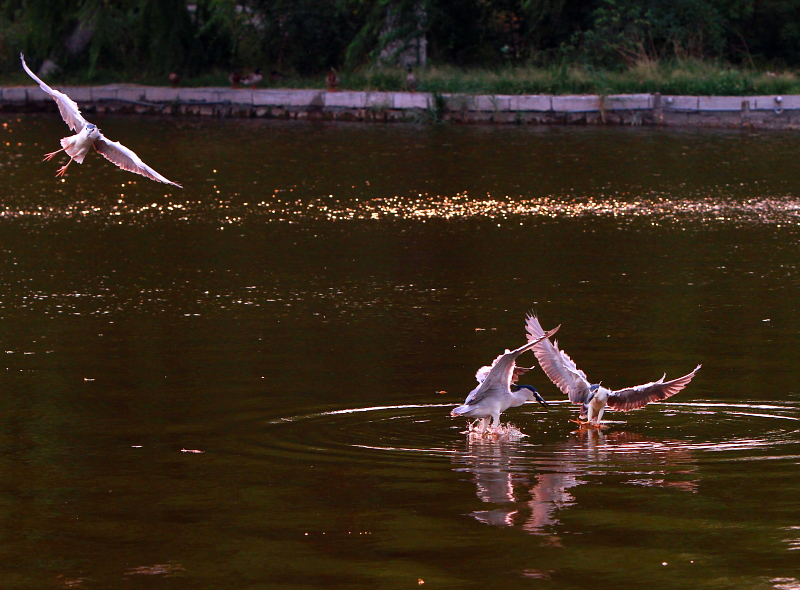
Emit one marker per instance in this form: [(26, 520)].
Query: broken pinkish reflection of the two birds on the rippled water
[(531, 485)]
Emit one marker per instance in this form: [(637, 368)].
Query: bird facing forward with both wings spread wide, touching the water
[(594, 398)]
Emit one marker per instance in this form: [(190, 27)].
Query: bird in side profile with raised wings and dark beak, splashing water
[(495, 392)]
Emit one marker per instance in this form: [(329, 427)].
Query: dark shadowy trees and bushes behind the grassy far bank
[(98, 39)]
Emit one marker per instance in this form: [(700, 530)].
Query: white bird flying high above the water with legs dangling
[(88, 135)]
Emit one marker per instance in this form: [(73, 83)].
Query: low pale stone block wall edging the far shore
[(630, 109)]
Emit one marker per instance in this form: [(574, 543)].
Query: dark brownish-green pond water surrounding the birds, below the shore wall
[(309, 308)]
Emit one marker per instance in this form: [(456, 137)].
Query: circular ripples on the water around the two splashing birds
[(716, 431)]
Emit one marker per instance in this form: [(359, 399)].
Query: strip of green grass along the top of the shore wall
[(686, 77)]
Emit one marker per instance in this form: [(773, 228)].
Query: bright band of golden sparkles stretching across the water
[(279, 207)]
